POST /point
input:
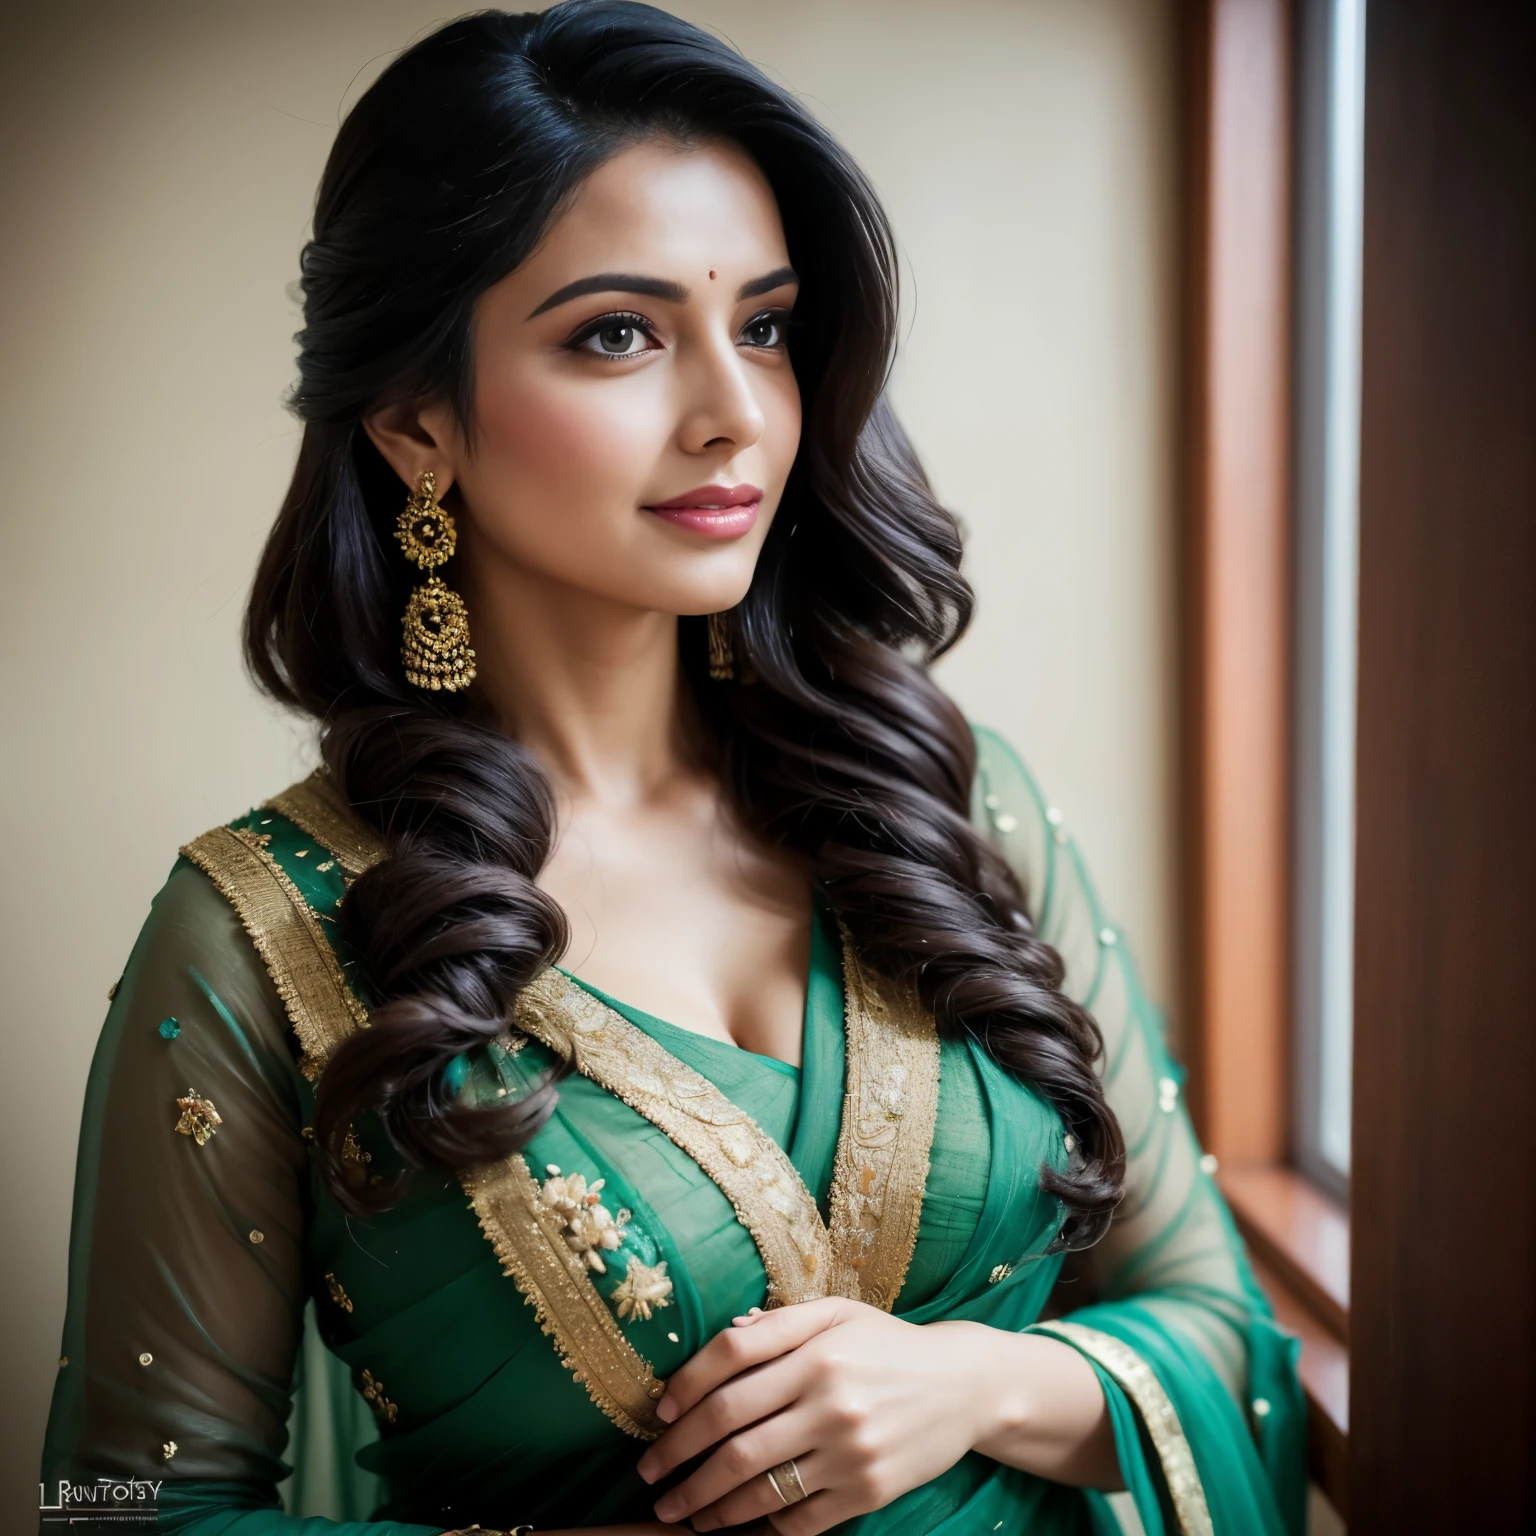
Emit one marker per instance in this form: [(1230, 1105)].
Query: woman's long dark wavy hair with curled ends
[(442, 182)]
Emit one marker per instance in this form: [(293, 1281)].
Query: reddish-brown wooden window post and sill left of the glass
[(1237, 683)]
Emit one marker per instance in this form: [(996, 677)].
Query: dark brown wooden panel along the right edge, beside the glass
[(1443, 1329)]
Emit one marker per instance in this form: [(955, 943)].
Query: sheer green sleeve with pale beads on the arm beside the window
[(1171, 1282)]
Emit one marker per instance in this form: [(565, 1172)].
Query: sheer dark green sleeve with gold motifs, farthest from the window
[(187, 1260)]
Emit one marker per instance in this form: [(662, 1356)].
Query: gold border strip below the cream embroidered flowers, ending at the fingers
[(555, 1283)]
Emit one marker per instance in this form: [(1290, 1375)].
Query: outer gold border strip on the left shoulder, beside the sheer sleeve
[(290, 939)]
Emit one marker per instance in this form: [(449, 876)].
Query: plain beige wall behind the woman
[(157, 171)]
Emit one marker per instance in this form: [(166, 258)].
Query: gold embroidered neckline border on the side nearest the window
[(890, 1107)]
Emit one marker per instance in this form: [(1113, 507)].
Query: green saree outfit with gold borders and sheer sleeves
[(492, 1349)]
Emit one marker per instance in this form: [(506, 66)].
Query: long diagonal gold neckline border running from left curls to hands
[(750, 1168)]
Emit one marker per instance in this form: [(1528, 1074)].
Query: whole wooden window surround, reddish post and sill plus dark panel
[(1422, 1408)]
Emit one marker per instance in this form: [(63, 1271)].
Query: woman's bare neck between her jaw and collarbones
[(588, 684)]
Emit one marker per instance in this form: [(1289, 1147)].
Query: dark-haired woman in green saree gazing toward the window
[(658, 945)]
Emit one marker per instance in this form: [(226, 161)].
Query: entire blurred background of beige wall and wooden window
[(1219, 337)]
